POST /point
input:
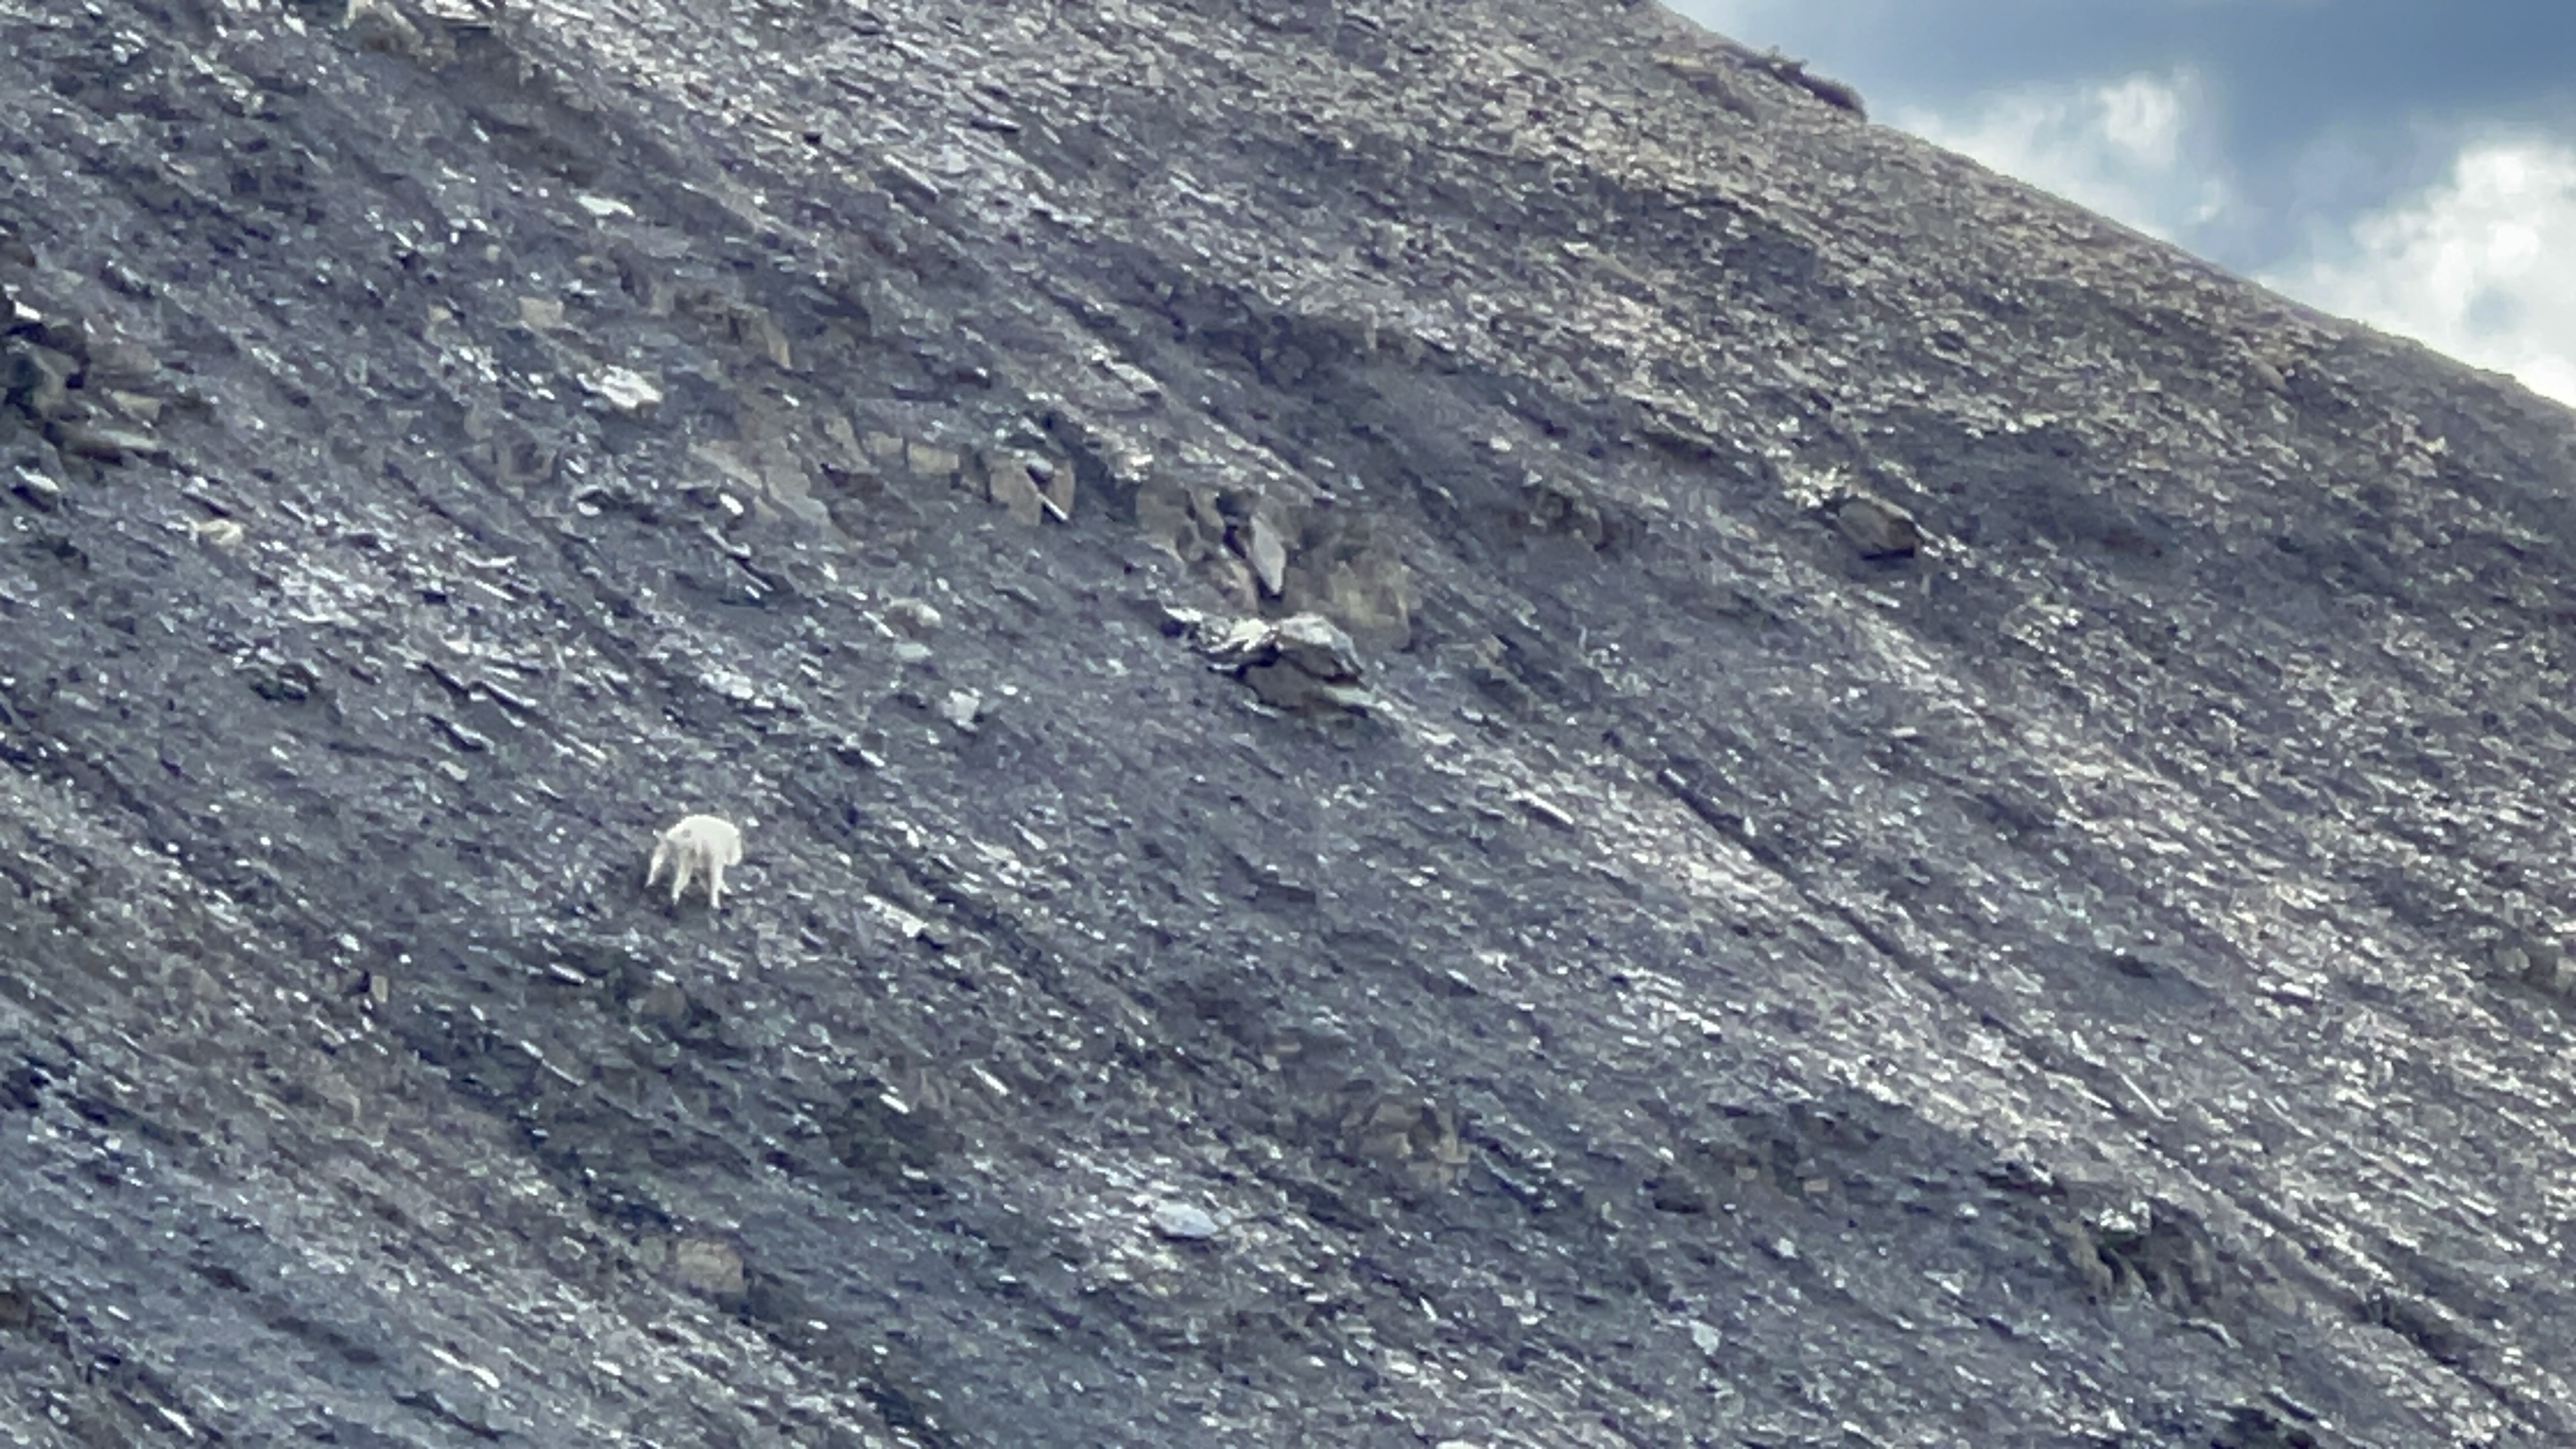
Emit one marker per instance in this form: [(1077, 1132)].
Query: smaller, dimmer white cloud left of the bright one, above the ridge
[(2139, 148)]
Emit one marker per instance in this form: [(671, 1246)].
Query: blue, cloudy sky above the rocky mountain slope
[(2410, 164)]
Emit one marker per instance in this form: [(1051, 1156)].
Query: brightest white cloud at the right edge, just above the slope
[(2467, 264)]
